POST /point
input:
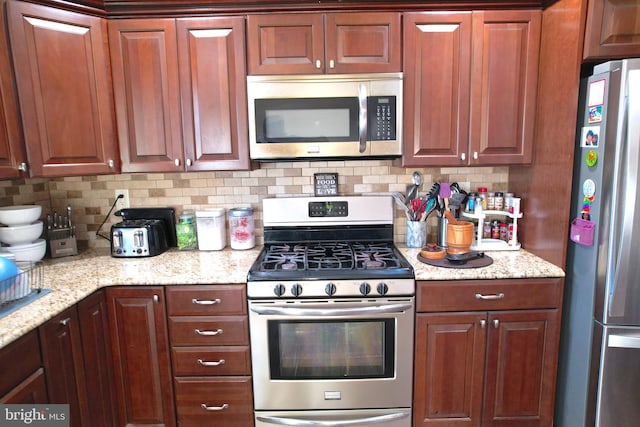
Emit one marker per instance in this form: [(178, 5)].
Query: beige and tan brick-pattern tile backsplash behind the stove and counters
[(91, 197)]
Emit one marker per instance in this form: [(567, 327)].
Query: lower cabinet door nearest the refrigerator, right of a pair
[(522, 351)]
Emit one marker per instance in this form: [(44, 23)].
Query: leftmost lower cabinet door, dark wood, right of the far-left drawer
[(64, 364)]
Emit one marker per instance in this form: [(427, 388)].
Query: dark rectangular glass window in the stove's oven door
[(336, 349)]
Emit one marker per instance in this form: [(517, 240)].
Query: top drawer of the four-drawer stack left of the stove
[(206, 300)]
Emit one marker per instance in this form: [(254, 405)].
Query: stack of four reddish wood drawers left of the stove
[(208, 328)]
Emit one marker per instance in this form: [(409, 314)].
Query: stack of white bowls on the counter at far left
[(21, 232)]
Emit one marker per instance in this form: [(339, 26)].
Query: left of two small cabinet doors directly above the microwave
[(285, 43)]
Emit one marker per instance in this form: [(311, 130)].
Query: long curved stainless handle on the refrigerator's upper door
[(623, 272)]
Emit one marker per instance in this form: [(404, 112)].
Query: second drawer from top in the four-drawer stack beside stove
[(209, 330)]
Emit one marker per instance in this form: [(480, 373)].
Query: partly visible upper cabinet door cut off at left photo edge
[(12, 153)]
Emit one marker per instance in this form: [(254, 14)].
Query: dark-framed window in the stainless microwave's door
[(306, 120)]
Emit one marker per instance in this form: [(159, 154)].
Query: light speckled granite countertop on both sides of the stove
[(73, 278)]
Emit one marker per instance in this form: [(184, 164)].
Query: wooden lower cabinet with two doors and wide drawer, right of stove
[(486, 368)]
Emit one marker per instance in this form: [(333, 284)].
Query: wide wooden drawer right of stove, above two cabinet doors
[(488, 294)]
